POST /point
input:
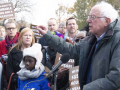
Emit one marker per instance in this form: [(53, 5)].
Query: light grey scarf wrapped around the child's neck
[(25, 74)]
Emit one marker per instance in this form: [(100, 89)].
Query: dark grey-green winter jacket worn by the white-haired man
[(106, 59)]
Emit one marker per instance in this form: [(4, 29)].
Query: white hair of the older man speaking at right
[(107, 10)]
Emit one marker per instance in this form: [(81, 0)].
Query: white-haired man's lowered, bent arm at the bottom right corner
[(112, 79)]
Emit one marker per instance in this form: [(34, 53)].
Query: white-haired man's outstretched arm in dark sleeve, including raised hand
[(59, 44)]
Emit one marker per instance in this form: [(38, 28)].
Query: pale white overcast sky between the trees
[(45, 9)]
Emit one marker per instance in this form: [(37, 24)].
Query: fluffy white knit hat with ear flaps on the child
[(34, 51)]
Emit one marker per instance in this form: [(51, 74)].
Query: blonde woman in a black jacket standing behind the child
[(25, 40)]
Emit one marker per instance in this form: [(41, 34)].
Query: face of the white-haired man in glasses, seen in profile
[(96, 25)]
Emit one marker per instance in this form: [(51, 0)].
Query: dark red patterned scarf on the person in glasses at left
[(9, 42)]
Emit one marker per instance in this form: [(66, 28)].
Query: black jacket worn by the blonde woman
[(14, 58)]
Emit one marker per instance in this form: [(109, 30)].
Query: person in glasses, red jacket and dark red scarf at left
[(10, 40)]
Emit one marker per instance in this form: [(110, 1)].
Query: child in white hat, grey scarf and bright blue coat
[(31, 76)]
